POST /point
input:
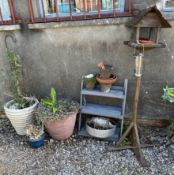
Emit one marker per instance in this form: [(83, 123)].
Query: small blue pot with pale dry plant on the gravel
[(36, 135)]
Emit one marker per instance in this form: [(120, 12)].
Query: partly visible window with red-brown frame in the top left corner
[(7, 12)]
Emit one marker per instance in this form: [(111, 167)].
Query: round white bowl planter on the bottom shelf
[(101, 127)]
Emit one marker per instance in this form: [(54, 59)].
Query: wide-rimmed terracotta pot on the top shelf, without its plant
[(106, 83)]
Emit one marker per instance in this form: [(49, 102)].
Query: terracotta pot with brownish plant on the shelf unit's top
[(106, 77)]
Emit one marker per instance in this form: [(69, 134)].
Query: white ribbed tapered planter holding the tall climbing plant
[(20, 118)]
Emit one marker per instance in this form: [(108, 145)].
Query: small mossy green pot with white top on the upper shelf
[(89, 81)]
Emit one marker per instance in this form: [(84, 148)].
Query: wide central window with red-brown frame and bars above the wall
[(55, 10)]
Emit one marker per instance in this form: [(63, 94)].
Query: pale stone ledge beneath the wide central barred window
[(94, 22)]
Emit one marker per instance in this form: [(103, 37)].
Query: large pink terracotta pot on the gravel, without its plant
[(62, 128)]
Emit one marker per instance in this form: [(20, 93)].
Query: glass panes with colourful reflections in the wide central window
[(78, 7)]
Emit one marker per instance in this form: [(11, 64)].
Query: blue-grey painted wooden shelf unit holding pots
[(103, 110)]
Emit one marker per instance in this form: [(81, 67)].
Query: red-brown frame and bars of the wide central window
[(42, 16)]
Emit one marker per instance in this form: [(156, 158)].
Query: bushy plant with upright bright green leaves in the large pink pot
[(53, 109)]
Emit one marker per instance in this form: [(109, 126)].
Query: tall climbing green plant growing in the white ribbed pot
[(15, 63)]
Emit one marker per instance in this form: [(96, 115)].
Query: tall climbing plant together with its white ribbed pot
[(20, 109)]
